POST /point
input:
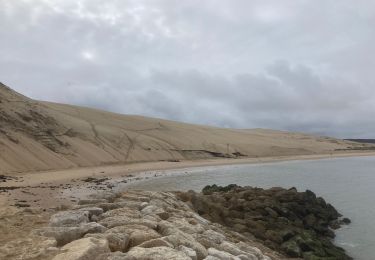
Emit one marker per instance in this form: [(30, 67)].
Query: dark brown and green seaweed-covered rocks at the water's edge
[(298, 224)]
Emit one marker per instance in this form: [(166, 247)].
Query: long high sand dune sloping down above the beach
[(37, 136)]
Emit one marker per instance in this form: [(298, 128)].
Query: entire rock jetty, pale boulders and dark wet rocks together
[(232, 222)]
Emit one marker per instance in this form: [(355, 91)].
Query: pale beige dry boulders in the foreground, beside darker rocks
[(142, 225)]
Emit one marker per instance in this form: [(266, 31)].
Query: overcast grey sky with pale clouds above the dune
[(293, 65)]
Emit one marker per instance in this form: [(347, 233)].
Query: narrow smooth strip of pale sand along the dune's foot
[(126, 170)]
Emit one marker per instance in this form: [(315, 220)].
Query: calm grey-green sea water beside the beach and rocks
[(347, 183)]
